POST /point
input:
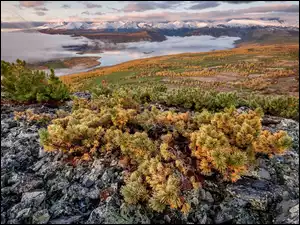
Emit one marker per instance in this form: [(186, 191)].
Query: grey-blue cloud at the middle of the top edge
[(148, 5)]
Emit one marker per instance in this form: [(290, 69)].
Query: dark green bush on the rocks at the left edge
[(21, 84)]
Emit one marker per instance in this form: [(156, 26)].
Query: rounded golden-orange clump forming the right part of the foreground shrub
[(228, 142)]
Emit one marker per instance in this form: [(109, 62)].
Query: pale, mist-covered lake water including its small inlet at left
[(38, 47)]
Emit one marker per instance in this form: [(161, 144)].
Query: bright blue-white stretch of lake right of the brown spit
[(173, 45)]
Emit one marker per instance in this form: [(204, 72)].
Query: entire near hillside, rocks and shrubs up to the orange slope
[(157, 140)]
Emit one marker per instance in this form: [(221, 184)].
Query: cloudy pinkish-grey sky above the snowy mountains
[(96, 11)]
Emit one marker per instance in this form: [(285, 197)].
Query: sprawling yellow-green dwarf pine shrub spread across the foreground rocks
[(165, 153)]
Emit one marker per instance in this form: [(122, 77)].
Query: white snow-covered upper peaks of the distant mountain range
[(172, 25)]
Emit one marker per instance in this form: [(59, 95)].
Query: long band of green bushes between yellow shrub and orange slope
[(198, 99)]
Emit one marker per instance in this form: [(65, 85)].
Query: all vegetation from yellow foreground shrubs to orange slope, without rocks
[(199, 134)]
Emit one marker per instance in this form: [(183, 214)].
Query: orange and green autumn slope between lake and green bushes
[(265, 69)]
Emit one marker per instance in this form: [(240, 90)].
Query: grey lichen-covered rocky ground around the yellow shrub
[(41, 188)]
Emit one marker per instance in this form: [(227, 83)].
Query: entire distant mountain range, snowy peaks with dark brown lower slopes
[(129, 31)]
